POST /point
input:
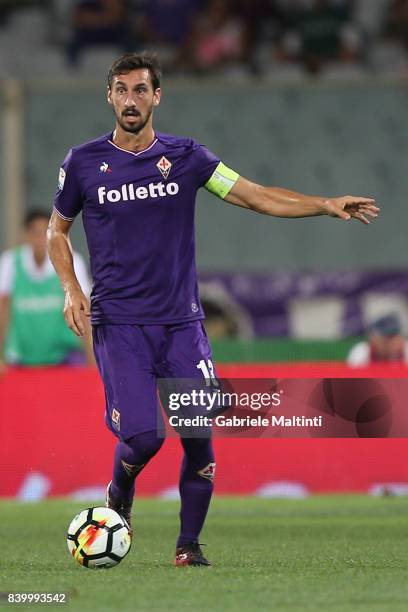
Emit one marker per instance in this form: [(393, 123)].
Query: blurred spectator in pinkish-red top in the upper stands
[(219, 37)]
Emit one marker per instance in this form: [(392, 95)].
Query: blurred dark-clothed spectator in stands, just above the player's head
[(97, 22)]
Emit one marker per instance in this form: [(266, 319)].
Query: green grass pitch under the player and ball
[(332, 554)]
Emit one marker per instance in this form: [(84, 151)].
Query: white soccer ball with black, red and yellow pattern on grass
[(98, 538)]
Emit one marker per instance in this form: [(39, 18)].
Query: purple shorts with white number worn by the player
[(131, 358)]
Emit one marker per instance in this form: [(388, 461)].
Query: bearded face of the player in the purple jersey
[(133, 99)]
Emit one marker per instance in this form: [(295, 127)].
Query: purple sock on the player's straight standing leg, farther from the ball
[(196, 487)]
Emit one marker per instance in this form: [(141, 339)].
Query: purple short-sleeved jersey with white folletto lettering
[(138, 215)]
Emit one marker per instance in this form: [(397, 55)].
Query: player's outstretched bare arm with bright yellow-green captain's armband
[(279, 202)]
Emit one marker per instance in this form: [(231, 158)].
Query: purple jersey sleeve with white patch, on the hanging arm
[(68, 199)]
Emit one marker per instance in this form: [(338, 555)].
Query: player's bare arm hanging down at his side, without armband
[(60, 252)]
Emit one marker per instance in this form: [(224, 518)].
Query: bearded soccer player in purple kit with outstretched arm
[(136, 189)]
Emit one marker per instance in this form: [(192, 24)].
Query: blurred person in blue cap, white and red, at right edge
[(385, 344)]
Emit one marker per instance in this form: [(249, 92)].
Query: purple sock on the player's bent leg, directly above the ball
[(130, 458)]
